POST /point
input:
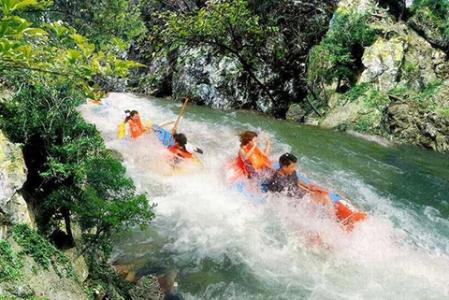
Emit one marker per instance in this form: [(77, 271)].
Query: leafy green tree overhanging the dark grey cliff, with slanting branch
[(229, 28)]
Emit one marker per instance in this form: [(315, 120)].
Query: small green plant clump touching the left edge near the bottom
[(10, 263)]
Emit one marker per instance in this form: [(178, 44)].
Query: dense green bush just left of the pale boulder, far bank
[(335, 58)]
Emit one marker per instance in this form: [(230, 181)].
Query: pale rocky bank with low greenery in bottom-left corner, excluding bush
[(25, 268)]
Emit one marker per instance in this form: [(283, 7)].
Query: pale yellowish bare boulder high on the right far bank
[(402, 57)]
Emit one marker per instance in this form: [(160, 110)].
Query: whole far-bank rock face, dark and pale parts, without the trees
[(400, 89)]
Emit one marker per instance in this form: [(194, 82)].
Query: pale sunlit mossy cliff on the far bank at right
[(403, 90)]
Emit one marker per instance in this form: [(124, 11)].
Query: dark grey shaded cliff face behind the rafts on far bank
[(220, 81)]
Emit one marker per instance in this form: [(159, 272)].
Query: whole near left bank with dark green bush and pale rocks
[(43, 258)]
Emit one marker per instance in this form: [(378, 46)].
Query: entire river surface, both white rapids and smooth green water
[(224, 247)]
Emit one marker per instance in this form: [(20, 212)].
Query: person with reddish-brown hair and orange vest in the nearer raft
[(251, 160)]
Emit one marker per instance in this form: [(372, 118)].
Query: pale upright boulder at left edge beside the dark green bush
[(13, 208)]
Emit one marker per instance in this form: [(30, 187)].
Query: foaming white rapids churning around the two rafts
[(225, 247)]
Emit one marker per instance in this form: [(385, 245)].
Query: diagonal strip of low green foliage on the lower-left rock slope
[(43, 253)]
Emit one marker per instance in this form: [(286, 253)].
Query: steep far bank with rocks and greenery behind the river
[(375, 67)]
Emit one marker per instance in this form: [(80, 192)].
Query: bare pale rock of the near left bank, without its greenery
[(34, 280)]
